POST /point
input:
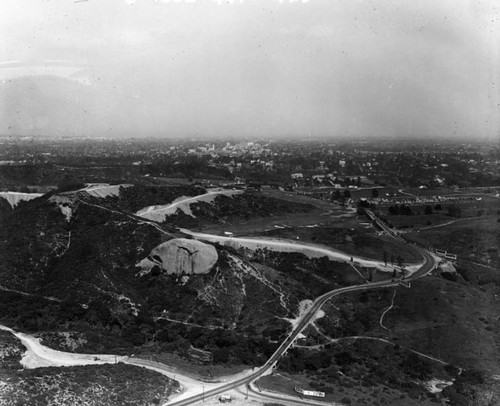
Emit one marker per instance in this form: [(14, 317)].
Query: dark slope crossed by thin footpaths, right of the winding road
[(356, 349)]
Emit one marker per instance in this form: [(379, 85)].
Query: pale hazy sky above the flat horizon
[(253, 68)]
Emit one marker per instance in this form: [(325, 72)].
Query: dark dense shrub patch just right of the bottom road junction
[(364, 363)]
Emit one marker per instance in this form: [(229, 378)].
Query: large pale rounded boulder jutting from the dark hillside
[(181, 256)]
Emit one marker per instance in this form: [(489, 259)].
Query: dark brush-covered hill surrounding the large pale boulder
[(76, 276)]
